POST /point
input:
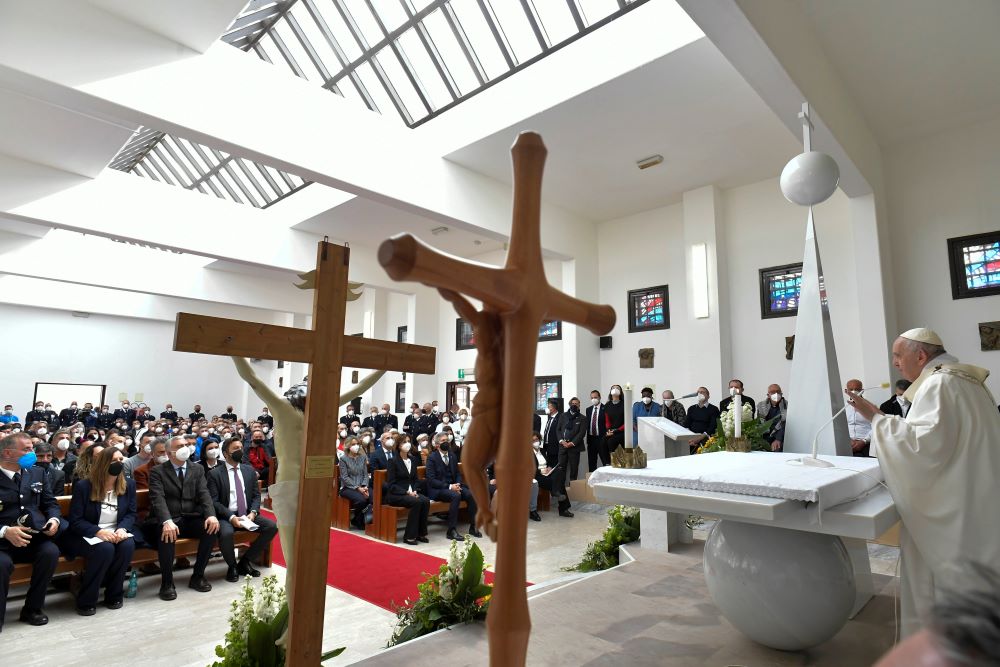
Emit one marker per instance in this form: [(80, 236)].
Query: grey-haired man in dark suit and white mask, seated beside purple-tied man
[(180, 506)]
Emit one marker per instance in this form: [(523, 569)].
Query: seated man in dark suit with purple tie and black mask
[(234, 490)]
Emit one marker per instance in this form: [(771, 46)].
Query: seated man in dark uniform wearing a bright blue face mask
[(30, 522)]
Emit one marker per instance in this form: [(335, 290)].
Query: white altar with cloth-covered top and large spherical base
[(787, 563)]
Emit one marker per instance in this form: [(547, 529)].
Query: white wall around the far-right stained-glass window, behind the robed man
[(940, 187)]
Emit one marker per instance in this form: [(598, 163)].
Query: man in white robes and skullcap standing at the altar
[(942, 466)]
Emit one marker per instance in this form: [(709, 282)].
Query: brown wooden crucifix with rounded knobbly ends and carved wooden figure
[(516, 300)]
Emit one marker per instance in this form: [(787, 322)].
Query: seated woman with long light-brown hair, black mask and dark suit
[(103, 508)]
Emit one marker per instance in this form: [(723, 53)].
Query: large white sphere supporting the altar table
[(786, 589)]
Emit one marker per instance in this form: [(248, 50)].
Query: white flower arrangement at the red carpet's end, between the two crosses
[(458, 593)]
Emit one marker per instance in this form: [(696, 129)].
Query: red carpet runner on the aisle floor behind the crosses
[(375, 571)]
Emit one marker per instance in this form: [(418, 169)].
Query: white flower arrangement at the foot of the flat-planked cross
[(256, 620)]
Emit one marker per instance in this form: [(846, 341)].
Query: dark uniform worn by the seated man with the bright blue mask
[(34, 500)]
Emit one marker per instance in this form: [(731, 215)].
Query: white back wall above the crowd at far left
[(126, 354)]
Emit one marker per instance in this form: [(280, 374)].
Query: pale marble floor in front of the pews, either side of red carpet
[(192, 625)]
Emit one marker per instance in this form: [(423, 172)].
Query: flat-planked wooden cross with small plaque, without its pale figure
[(326, 349)]
